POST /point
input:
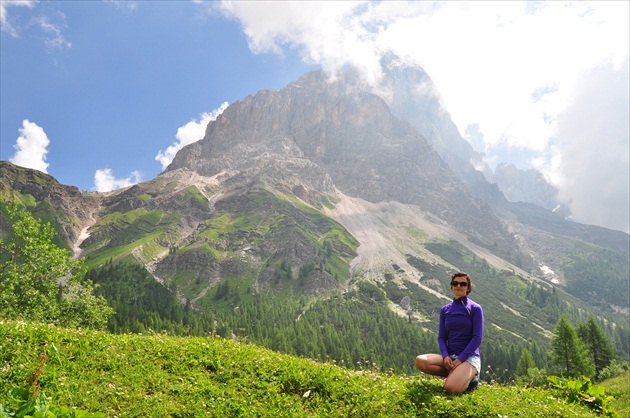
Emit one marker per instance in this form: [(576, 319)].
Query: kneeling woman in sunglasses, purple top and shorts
[(459, 337)]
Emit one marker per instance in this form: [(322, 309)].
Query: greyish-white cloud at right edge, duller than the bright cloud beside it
[(592, 165)]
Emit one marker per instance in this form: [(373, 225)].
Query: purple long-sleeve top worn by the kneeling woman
[(461, 328)]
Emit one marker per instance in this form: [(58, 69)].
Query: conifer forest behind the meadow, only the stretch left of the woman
[(347, 328)]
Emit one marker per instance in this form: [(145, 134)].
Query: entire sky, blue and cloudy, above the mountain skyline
[(102, 94)]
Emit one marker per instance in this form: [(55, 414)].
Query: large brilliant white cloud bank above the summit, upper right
[(508, 69)]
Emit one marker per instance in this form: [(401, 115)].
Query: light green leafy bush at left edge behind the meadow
[(40, 281)]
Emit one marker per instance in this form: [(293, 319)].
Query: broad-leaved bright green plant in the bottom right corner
[(581, 390)]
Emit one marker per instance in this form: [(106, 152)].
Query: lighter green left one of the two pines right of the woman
[(569, 354)]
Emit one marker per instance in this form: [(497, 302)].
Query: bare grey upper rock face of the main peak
[(321, 135)]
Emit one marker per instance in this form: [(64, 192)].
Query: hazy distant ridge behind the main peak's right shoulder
[(412, 96)]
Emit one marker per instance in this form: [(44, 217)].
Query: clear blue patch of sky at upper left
[(111, 85)]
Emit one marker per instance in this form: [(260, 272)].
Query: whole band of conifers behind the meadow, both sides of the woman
[(353, 329)]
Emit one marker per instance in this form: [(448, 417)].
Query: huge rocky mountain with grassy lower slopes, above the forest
[(325, 188)]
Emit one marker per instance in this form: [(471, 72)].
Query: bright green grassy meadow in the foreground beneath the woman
[(158, 375)]
